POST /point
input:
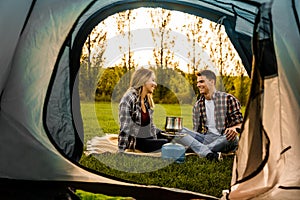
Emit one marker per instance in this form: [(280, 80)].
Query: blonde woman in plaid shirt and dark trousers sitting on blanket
[(137, 130)]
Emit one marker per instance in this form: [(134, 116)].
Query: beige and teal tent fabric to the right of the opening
[(267, 165)]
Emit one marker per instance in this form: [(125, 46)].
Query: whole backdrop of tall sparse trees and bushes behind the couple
[(206, 43)]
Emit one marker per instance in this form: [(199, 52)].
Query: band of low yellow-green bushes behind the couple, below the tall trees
[(174, 86)]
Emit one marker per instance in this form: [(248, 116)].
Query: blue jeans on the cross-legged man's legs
[(202, 144)]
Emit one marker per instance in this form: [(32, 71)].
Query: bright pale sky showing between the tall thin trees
[(142, 42)]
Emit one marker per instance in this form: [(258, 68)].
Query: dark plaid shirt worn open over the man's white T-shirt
[(227, 112)]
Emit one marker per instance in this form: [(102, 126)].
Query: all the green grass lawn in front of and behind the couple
[(195, 174)]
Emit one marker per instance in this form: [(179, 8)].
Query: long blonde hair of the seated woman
[(138, 80)]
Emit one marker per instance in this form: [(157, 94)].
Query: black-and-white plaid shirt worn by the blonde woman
[(130, 119)]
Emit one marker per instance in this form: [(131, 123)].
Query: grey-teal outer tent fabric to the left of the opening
[(24, 94)]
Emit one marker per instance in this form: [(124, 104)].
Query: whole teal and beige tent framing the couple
[(40, 122)]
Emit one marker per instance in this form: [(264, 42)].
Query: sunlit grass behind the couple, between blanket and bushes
[(102, 118)]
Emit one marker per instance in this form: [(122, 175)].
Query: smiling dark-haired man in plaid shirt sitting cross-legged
[(217, 119)]
